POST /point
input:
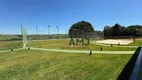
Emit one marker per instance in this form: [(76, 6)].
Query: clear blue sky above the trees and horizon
[(64, 13)]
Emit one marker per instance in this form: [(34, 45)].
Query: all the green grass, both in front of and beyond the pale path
[(45, 65)]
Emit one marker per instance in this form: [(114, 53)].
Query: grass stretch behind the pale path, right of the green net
[(50, 44)]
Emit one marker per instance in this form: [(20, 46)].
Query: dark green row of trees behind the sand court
[(118, 30)]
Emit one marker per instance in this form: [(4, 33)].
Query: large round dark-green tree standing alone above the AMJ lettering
[(81, 29)]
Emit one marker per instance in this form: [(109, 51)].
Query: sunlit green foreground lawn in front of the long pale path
[(42, 65)]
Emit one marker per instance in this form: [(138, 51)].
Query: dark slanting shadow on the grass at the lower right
[(126, 72)]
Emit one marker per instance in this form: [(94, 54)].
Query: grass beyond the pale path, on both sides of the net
[(64, 44)]
